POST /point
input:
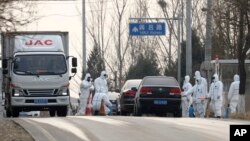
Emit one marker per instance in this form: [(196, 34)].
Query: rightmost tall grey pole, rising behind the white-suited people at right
[(208, 41)]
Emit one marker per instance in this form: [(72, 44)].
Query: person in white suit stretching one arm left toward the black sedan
[(199, 95)]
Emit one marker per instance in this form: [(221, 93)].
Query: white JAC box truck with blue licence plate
[(36, 72)]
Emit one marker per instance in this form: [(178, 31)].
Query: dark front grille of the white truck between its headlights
[(37, 92)]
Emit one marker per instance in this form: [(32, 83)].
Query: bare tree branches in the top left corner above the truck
[(15, 13)]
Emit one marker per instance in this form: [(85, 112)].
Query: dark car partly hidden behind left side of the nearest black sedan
[(127, 96)]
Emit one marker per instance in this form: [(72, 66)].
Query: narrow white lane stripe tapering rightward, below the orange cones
[(103, 120)]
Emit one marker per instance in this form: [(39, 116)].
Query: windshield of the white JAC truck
[(40, 64)]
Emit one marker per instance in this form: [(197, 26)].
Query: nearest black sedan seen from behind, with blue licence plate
[(158, 95)]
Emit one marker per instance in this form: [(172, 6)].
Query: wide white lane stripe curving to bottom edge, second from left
[(64, 125)]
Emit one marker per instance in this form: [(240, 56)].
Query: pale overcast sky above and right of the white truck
[(66, 16)]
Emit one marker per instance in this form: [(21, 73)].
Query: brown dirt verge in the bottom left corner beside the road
[(10, 131)]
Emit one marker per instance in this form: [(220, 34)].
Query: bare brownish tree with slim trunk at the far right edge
[(233, 27)]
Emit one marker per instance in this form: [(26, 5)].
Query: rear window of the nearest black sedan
[(162, 81)]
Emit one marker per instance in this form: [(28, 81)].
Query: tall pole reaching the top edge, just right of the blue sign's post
[(188, 38)]
